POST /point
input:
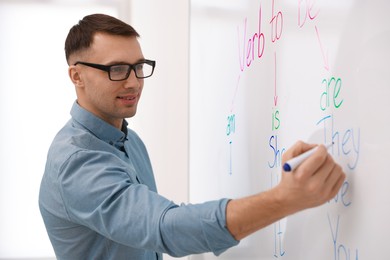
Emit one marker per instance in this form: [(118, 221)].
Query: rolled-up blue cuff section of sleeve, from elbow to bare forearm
[(197, 228)]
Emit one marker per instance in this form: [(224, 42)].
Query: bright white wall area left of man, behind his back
[(35, 99)]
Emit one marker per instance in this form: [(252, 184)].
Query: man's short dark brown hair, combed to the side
[(80, 36)]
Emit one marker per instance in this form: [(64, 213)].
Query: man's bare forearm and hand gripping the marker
[(311, 184)]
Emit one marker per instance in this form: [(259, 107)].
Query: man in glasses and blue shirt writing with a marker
[(98, 196)]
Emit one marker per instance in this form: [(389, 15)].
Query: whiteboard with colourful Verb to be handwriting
[(264, 74)]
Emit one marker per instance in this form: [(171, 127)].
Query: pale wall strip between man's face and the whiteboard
[(162, 117)]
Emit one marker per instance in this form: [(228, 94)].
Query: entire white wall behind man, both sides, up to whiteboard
[(28, 126)]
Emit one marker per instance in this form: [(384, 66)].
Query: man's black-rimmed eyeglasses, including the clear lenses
[(118, 72)]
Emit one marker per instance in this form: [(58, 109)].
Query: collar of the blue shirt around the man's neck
[(98, 127)]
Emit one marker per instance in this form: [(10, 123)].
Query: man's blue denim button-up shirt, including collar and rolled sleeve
[(98, 199)]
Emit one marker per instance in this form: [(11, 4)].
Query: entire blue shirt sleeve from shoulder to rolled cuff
[(102, 193)]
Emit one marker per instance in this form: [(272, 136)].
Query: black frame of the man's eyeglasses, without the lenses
[(107, 68)]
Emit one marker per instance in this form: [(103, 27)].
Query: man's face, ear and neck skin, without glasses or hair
[(112, 101)]
